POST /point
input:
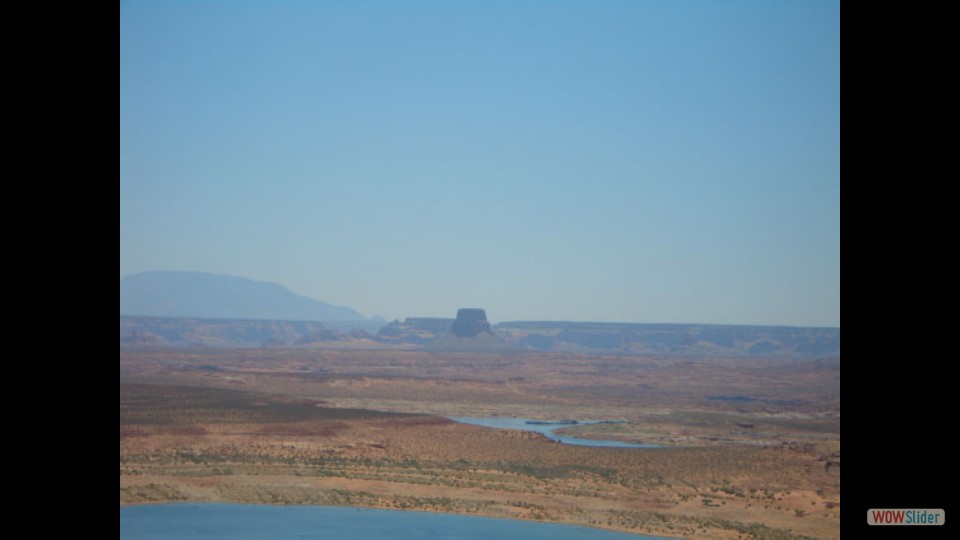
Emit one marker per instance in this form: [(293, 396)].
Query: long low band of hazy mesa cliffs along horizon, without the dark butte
[(437, 334)]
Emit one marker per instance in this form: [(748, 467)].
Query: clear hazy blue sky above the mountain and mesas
[(647, 161)]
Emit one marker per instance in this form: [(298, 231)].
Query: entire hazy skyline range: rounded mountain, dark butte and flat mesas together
[(195, 308)]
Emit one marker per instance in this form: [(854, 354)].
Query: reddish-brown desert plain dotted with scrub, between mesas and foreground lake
[(296, 427)]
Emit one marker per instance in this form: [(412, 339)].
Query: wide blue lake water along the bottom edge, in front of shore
[(213, 521)]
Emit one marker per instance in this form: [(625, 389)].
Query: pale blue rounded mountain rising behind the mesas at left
[(217, 296)]
